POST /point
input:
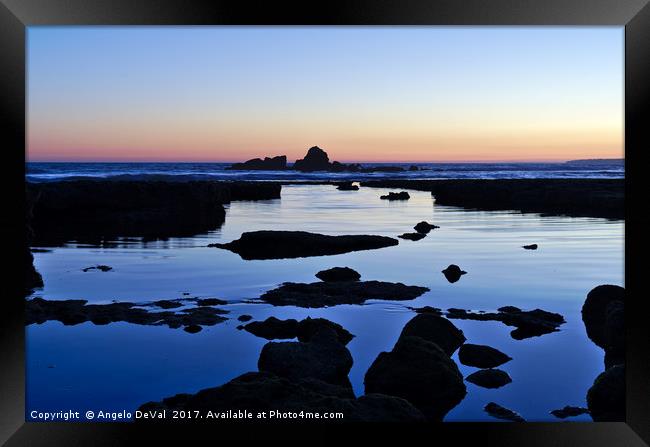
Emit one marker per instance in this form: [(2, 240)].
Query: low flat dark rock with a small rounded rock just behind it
[(322, 294)]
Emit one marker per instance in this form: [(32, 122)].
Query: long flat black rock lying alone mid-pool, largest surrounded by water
[(269, 244)]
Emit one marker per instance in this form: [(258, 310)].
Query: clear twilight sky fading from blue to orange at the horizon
[(375, 94)]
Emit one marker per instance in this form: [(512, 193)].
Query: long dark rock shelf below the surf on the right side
[(572, 197)]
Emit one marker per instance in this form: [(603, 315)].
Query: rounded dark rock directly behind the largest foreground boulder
[(435, 329)]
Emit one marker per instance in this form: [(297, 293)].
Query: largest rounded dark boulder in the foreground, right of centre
[(420, 372)]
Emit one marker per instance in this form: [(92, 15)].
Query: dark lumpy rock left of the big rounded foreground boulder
[(323, 358)]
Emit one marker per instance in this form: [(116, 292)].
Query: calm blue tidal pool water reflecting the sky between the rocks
[(121, 366)]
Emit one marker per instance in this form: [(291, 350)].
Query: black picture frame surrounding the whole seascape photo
[(16, 15)]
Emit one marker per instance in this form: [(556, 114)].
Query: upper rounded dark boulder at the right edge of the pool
[(594, 311)]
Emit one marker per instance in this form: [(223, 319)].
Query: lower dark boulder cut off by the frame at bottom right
[(606, 397)]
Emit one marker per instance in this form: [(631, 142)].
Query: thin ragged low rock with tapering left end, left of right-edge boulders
[(532, 323)]
